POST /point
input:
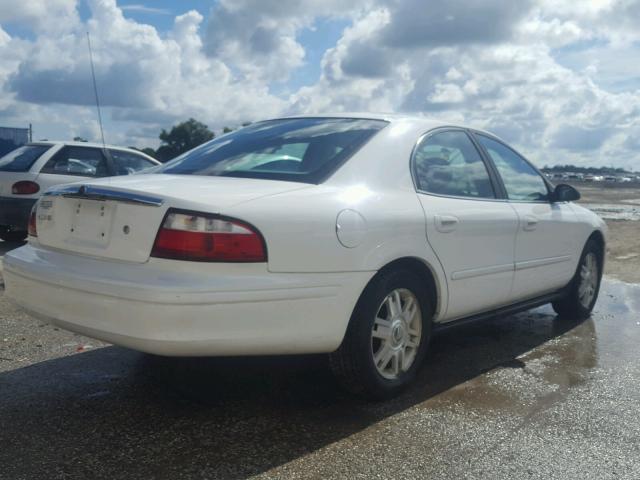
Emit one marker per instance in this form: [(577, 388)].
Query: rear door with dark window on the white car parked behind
[(73, 164)]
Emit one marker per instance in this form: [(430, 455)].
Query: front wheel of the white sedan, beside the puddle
[(584, 288)]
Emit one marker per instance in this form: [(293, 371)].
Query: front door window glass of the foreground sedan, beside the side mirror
[(520, 179)]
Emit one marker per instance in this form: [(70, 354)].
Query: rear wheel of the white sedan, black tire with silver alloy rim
[(387, 336)]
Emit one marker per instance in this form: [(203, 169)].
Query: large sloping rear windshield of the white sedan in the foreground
[(300, 150)]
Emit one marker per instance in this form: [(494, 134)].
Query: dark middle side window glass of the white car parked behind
[(78, 161)]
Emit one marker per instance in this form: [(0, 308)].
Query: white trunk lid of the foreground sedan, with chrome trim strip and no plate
[(118, 218)]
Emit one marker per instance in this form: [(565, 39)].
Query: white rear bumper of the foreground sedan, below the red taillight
[(158, 308)]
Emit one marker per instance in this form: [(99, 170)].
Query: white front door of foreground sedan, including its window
[(546, 250)]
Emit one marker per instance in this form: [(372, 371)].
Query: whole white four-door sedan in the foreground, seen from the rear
[(355, 235)]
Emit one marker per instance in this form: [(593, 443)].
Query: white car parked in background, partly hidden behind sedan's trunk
[(26, 172)]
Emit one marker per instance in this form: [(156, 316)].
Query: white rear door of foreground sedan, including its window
[(471, 229)]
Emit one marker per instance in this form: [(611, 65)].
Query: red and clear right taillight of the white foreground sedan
[(185, 236)]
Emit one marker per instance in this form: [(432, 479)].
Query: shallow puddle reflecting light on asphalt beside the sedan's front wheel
[(571, 358)]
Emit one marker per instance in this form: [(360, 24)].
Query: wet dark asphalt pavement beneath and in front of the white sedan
[(524, 396)]
